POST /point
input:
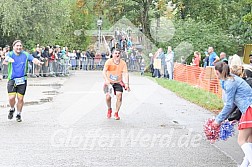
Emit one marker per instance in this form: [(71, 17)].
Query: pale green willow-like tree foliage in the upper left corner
[(34, 21)]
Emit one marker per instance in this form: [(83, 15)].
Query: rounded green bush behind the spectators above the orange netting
[(201, 35)]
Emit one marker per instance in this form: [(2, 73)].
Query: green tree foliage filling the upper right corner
[(233, 16)]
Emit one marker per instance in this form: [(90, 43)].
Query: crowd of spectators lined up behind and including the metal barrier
[(58, 60)]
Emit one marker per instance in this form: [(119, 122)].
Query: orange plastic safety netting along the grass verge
[(200, 77)]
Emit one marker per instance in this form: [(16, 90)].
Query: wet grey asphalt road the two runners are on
[(64, 124)]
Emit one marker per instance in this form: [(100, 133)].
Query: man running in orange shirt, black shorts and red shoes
[(115, 72)]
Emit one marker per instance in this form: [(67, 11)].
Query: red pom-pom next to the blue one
[(212, 132)]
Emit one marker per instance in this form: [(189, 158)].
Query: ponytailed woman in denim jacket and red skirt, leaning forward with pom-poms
[(240, 93)]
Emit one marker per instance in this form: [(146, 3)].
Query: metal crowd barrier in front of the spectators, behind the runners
[(63, 67)]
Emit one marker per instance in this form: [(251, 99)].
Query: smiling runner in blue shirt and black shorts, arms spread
[(17, 61)]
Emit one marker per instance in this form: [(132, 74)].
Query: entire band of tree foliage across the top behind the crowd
[(202, 22)]
